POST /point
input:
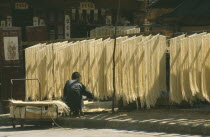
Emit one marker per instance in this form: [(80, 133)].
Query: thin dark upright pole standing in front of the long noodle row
[(114, 53)]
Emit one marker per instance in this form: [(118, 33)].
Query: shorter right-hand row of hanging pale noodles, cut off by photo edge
[(189, 70)]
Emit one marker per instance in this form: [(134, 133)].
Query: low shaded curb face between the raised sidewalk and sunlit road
[(134, 125)]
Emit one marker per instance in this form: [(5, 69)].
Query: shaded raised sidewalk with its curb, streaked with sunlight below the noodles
[(182, 121)]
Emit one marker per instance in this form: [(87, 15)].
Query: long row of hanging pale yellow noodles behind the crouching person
[(140, 68)]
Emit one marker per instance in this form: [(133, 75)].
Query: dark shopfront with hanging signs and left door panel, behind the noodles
[(44, 20)]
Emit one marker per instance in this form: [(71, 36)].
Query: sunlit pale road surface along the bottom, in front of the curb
[(34, 131)]
